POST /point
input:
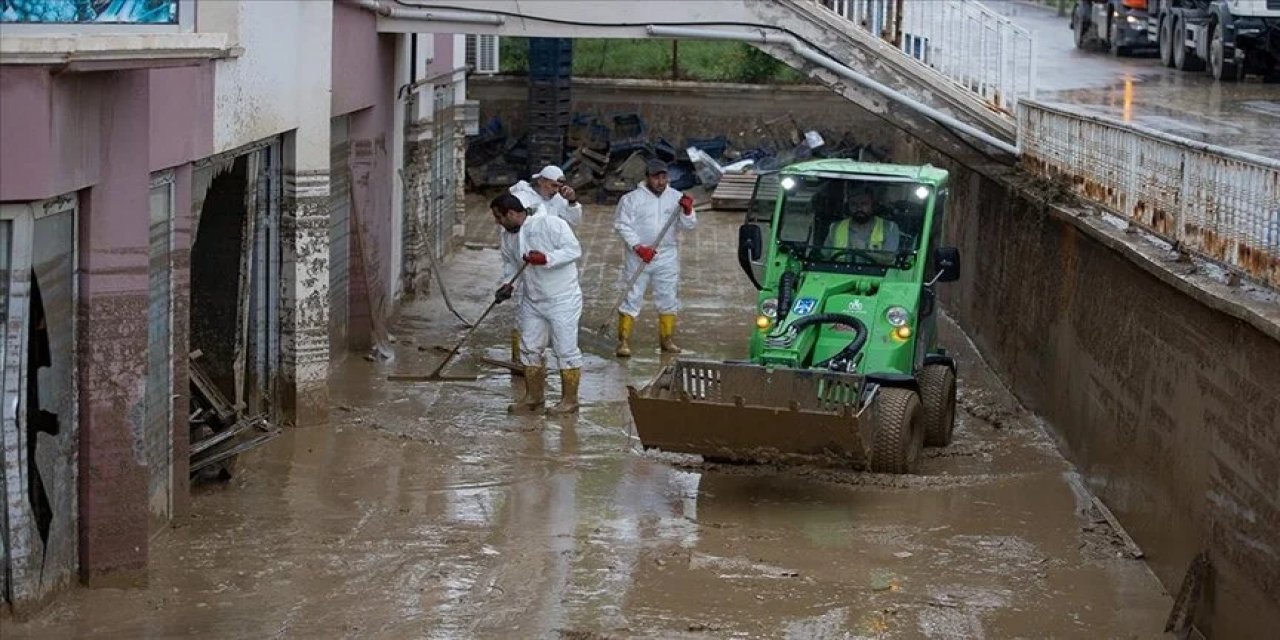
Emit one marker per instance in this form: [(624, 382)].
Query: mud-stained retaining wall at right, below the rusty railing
[(1169, 406)]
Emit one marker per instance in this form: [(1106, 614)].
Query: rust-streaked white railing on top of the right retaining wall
[(1214, 202)]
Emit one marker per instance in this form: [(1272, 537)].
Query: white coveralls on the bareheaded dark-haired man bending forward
[(551, 305)]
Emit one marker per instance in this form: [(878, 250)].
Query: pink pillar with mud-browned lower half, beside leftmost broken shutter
[(113, 340)]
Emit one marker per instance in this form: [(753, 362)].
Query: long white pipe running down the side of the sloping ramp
[(840, 70)]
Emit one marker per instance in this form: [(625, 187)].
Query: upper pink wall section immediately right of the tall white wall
[(358, 66)]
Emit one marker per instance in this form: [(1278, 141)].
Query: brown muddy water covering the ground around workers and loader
[(424, 511)]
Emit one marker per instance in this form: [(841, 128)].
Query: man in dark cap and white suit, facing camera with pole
[(639, 221)]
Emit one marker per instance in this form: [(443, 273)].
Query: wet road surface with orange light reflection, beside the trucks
[(1244, 116)]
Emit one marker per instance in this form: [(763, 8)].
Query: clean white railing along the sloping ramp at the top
[(963, 40)]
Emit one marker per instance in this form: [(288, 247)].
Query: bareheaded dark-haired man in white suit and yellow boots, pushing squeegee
[(551, 305)]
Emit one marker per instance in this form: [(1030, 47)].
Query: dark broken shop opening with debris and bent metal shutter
[(236, 305)]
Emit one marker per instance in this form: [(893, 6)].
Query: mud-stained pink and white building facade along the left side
[(246, 186)]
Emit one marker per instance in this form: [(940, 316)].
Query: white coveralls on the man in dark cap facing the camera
[(639, 220)]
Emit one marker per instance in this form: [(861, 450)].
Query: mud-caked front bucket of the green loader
[(746, 413)]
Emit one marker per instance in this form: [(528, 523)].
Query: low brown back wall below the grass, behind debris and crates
[(747, 115)]
